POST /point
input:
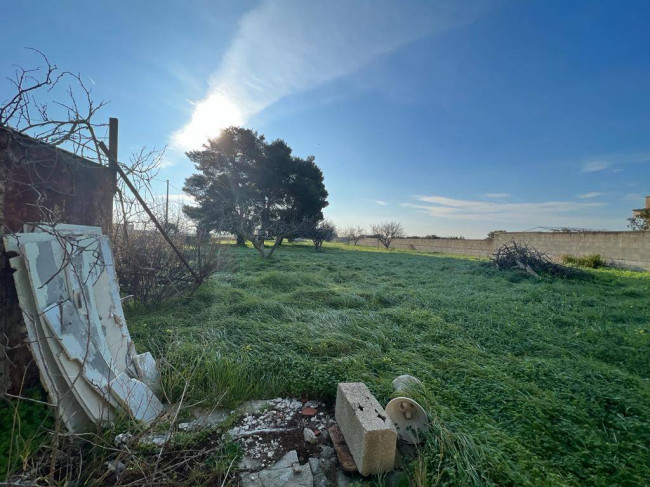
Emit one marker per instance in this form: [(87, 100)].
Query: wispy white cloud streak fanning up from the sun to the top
[(288, 46)]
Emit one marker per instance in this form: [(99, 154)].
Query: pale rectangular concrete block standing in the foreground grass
[(367, 429)]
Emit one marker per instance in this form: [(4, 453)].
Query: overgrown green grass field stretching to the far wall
[(527, 382)]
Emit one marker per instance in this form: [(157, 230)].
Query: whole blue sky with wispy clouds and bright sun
[(455, 118)]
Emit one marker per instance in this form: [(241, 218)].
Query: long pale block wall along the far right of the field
[(625, 249)]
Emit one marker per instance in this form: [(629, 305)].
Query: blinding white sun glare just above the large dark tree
[(210, 116)]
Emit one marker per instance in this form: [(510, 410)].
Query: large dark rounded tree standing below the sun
[(254, 189)]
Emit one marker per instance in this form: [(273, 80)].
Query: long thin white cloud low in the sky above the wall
[(571, 213)]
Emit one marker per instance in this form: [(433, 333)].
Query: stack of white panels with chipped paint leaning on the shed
[(70, 298)]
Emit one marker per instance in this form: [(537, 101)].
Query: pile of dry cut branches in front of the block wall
[(513, 255)]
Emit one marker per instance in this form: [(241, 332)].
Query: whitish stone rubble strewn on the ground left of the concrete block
[(280, 445)]
